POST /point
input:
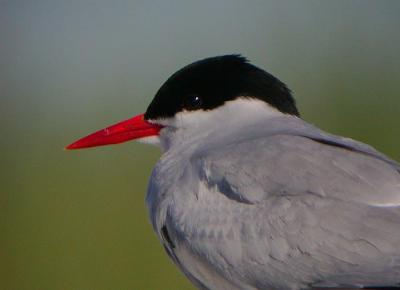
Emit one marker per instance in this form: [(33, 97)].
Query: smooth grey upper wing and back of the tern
[(291, 157)]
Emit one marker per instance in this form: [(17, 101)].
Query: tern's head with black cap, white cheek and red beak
[(210, 93)]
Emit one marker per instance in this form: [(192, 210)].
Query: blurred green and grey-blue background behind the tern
[(77, 220)]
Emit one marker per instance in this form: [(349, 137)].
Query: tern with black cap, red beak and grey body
[(248, 195)]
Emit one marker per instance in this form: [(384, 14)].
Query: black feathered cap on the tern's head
[(209, 83)]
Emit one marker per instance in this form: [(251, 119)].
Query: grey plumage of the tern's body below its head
[(280, 205)]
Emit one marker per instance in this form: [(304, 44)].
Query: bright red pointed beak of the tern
[(134, 128)]
